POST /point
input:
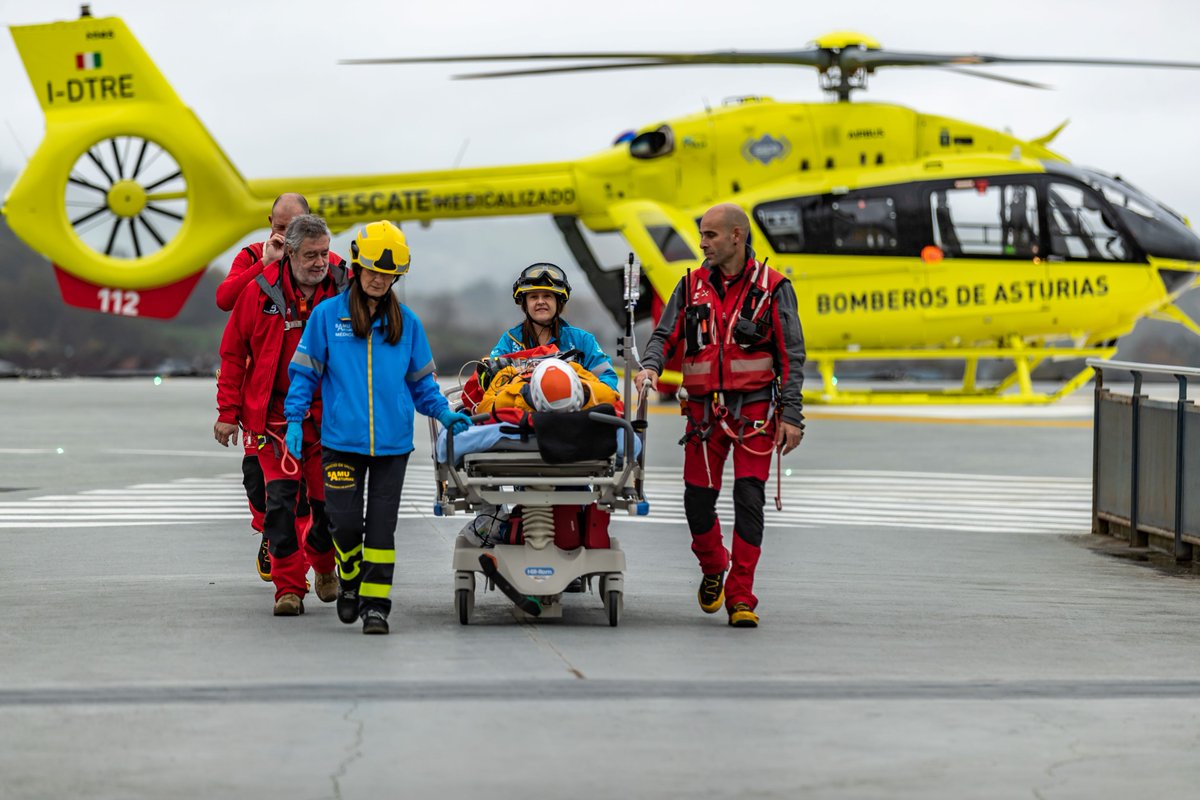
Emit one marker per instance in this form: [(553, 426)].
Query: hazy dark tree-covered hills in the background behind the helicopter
[(41, 335)]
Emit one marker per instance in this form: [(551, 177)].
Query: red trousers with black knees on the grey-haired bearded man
[(296, 543)]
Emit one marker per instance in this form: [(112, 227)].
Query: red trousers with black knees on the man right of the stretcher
[(706, 452)]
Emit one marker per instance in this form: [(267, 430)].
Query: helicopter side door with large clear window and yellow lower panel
[(988, 233)]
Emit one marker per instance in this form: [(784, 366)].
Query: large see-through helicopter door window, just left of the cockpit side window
[(979, 219)]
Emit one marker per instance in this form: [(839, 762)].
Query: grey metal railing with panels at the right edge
[(1142, 467)]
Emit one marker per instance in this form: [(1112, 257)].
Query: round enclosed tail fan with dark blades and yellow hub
[(127, 197)]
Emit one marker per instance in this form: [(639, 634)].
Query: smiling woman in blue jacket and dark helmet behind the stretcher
[(542, 291)]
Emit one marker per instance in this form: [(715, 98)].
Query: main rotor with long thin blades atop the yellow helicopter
[(844, 61)]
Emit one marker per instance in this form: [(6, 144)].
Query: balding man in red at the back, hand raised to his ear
[(249, 264)]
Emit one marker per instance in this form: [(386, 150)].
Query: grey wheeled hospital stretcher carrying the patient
[(559, 543)]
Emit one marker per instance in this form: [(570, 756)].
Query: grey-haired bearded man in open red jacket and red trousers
[(256, 350)]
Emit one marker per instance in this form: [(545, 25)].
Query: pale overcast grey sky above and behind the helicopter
[(263, 77)]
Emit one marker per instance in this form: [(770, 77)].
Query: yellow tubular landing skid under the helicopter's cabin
[(1017, 388)]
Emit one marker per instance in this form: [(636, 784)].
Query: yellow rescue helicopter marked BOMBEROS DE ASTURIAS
[(908, 236)]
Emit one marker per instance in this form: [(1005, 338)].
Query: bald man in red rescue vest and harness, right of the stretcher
[(743, 372)]
